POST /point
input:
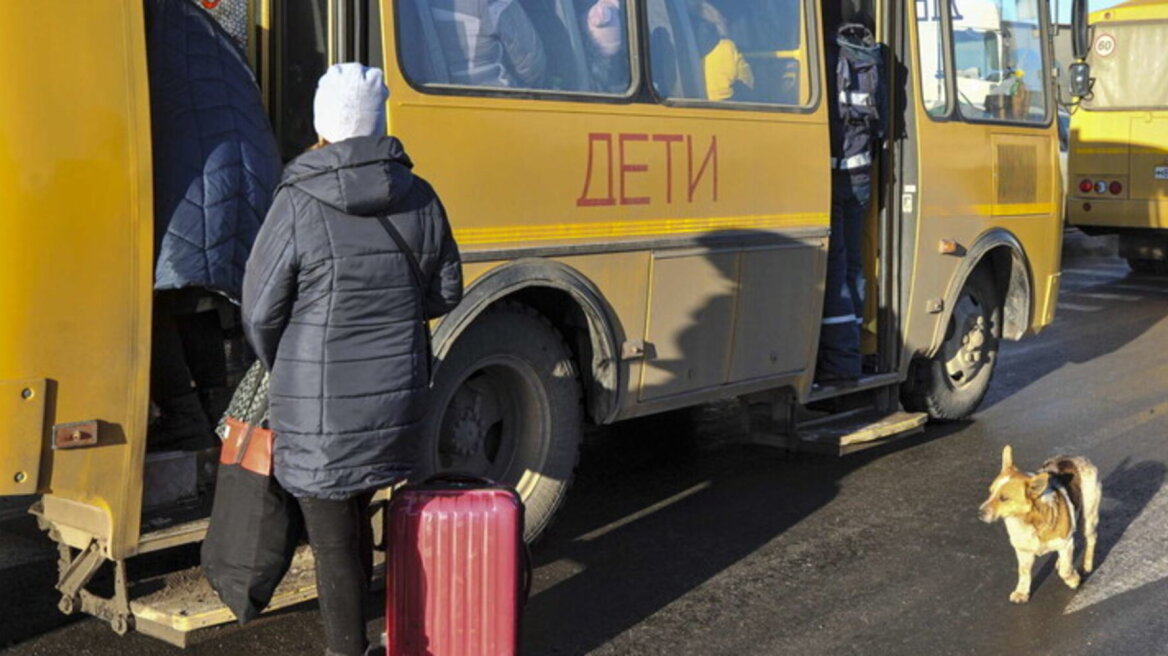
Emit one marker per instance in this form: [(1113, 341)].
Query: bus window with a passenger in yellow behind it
[(729, 51)]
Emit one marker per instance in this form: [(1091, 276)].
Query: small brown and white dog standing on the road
[(1042, 512)]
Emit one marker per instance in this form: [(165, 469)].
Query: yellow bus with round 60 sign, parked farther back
[(1118, 159)]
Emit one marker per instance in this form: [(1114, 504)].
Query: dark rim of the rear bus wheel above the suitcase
[(496, 424)]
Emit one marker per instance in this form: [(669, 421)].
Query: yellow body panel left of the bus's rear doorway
[(77, 271)]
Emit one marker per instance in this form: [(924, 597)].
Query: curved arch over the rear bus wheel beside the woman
[(571, 302)]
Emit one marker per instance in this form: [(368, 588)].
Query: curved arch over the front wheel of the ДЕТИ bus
[(1000, 252)]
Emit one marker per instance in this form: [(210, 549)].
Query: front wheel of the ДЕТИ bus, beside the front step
[(951, 385)]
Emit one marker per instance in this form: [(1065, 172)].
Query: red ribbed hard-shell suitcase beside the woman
[(457, 569)]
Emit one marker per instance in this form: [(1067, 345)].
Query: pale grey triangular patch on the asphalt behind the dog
[(1137, 561)]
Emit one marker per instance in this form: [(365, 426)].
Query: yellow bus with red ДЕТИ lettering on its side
[(631, 247)]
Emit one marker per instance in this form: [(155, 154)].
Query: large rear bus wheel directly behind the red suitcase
[(506, 406)]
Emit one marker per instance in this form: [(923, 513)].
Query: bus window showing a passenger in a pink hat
[(574, 46)]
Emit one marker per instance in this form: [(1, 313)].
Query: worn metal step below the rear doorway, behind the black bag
[(183, 604)]
